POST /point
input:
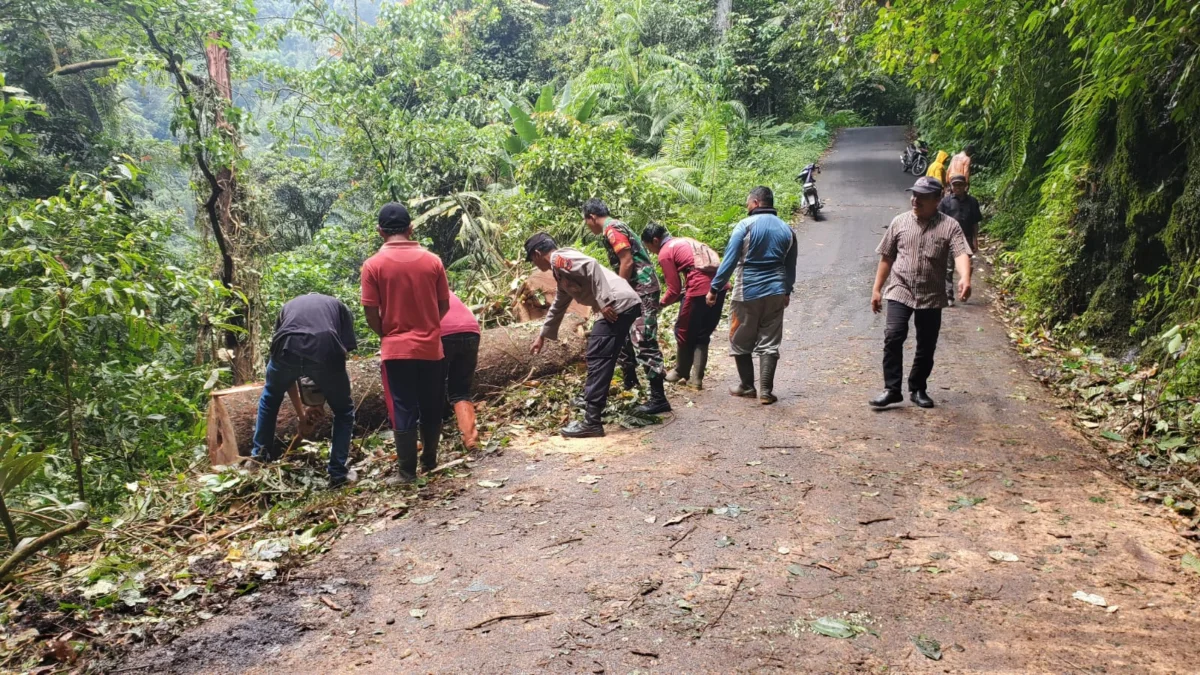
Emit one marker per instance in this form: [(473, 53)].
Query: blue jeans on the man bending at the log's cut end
[(281, 373)]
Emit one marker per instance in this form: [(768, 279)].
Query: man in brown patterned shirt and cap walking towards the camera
[(914, 262)]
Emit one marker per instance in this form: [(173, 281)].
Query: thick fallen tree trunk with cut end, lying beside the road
[(505, 360)]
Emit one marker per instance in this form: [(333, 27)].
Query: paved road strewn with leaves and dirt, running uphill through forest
[(825, 509)]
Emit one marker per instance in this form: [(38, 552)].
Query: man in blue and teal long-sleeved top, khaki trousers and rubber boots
[(761, 258)]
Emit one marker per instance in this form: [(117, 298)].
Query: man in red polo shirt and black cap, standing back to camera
[(406, 295)]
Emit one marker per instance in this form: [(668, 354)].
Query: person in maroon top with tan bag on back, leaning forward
[(698, 321)]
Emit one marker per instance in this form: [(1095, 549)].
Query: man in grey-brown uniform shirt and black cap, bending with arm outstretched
[(586, 282)]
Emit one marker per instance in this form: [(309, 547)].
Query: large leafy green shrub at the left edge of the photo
[(92, 312)]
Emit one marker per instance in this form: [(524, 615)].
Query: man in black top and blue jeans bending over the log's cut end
[(313, 338)]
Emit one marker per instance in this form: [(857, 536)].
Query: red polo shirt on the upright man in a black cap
[(407, 283)]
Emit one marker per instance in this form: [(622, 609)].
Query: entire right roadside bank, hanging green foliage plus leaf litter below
[(1085, 116)]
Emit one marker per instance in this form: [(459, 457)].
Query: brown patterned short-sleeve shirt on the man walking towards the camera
[(920, 255)]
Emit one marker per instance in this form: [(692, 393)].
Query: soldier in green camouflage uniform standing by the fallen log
[(629, 259)]
